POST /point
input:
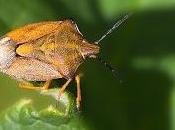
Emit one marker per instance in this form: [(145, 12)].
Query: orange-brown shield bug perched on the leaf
[(46, 51)]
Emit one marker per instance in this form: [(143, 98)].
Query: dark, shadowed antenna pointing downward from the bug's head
[(110, 67)]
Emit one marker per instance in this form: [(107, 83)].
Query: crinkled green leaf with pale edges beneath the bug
[(23, 116)]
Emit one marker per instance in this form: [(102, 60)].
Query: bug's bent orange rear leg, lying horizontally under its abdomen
[(28, 85)]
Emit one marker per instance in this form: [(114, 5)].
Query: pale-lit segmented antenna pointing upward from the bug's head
[(115, 26)]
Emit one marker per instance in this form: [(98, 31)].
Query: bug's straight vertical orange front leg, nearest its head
[(78, 100)]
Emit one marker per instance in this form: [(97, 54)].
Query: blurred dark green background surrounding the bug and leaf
[(143, 50)]
